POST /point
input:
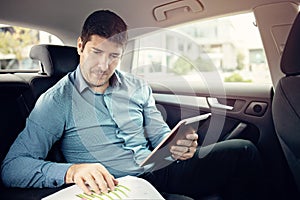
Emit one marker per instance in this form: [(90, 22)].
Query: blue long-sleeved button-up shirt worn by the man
[(112, 128)]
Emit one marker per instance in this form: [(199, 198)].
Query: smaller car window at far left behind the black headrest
[(15, 45)]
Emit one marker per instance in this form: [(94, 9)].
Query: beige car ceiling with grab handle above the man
[(65, 17)]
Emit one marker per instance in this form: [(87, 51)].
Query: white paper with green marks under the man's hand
[(129, 187)]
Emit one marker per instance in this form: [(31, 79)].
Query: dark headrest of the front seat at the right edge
[(290, 60)]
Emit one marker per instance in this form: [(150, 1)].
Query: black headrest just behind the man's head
[(56, 60)]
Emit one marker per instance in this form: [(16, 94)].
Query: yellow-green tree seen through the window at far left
[(13, 42)]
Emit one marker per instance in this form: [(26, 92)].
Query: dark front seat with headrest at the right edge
[(286, 102)]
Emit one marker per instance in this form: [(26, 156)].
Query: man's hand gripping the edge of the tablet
[(185, 148)]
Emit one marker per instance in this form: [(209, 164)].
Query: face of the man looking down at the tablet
[(98, 61)]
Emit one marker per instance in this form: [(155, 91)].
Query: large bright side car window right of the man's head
[(230, 46)]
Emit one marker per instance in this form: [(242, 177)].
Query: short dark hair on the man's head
[(105, 24)]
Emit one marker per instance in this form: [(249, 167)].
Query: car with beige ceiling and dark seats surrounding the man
[(199, 56)]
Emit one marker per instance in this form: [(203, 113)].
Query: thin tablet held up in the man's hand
[(161, 155)]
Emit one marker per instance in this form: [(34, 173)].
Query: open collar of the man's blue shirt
[(81, 84)]
